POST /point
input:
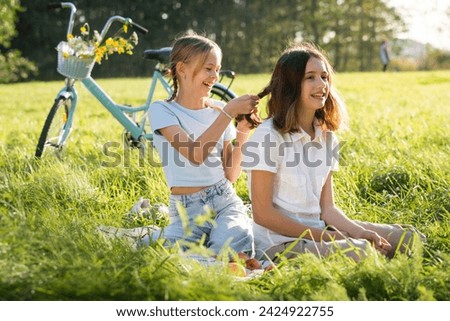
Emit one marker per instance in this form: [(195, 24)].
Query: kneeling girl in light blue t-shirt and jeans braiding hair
[(193, 135)]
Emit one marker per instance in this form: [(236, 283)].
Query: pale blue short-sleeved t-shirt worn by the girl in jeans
[(179, 170)]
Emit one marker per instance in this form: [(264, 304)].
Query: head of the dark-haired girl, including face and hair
[(301, 91)]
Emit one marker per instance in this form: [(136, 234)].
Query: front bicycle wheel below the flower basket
[(55, 126)]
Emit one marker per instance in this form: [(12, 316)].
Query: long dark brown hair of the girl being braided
[(285, 90)]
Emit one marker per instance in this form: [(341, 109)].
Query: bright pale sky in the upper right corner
[(427, 21)]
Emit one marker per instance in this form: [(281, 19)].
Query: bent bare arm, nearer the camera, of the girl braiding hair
[(198, 150)]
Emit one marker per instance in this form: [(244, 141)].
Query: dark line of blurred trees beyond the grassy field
[(251, 33)]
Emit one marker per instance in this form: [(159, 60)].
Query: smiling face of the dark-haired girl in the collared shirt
[(314, 86)]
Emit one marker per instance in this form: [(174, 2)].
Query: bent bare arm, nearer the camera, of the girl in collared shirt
[(265, 214)]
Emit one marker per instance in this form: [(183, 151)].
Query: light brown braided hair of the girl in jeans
[(184, 49)]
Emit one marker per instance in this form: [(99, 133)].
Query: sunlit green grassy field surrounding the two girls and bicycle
[(395, 169)]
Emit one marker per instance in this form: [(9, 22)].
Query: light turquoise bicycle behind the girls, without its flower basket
[(135, 134)]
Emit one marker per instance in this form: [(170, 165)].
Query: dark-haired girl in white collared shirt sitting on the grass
[(290, 159)]
